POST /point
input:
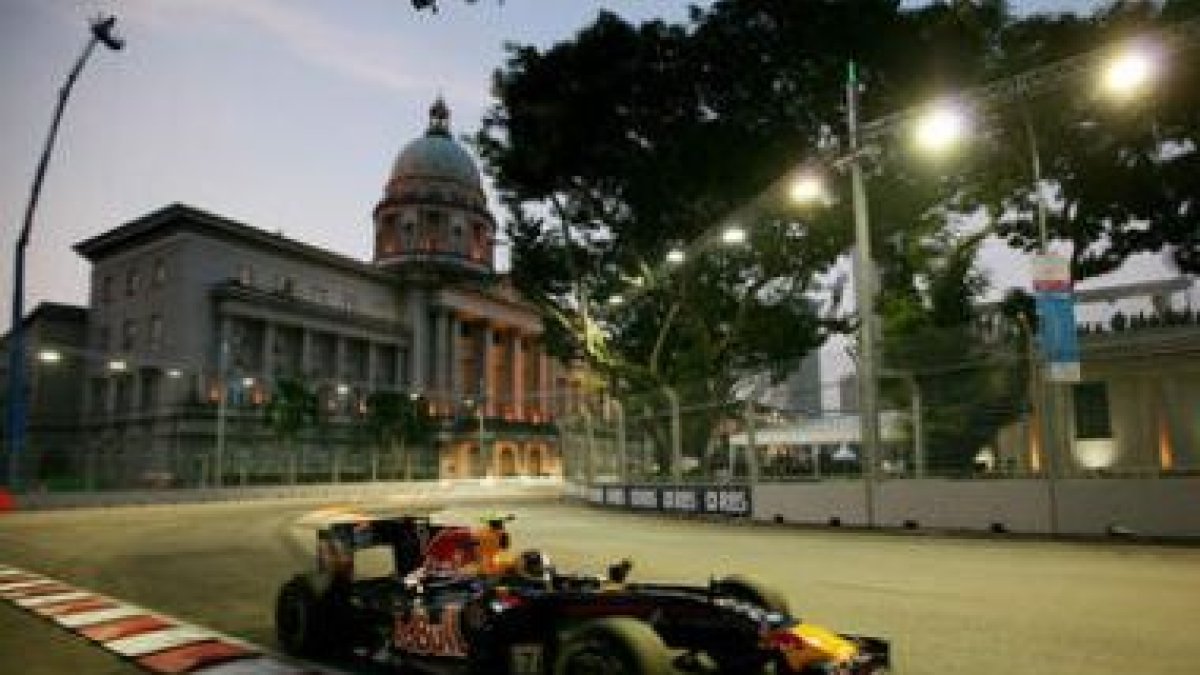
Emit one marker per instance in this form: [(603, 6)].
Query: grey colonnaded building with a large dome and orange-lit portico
[(207, 318)]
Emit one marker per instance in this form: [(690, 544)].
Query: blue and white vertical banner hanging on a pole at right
[(1057, 318)]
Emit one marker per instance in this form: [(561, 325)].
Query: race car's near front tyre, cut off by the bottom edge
[(614, 647)]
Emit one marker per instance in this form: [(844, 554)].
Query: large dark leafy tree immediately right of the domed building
[(629, 140)]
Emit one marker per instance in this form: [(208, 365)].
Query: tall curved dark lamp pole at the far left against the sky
[(101, 33)]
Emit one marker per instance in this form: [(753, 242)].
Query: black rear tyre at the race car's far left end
[(307, 619)]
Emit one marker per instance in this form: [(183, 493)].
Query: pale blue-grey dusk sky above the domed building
[(284, 115)]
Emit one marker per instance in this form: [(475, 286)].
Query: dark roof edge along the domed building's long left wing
[(184, 218)]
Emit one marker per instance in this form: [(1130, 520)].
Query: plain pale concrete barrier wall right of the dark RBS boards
[(1168, 507)]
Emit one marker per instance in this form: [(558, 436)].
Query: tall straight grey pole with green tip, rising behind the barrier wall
[(865, 295)]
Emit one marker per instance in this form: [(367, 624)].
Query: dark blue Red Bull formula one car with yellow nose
[(448, 608)]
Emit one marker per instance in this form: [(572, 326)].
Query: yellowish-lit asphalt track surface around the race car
[(963, 606)]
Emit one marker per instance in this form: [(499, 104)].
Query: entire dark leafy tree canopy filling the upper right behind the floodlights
[(628, 141)]
